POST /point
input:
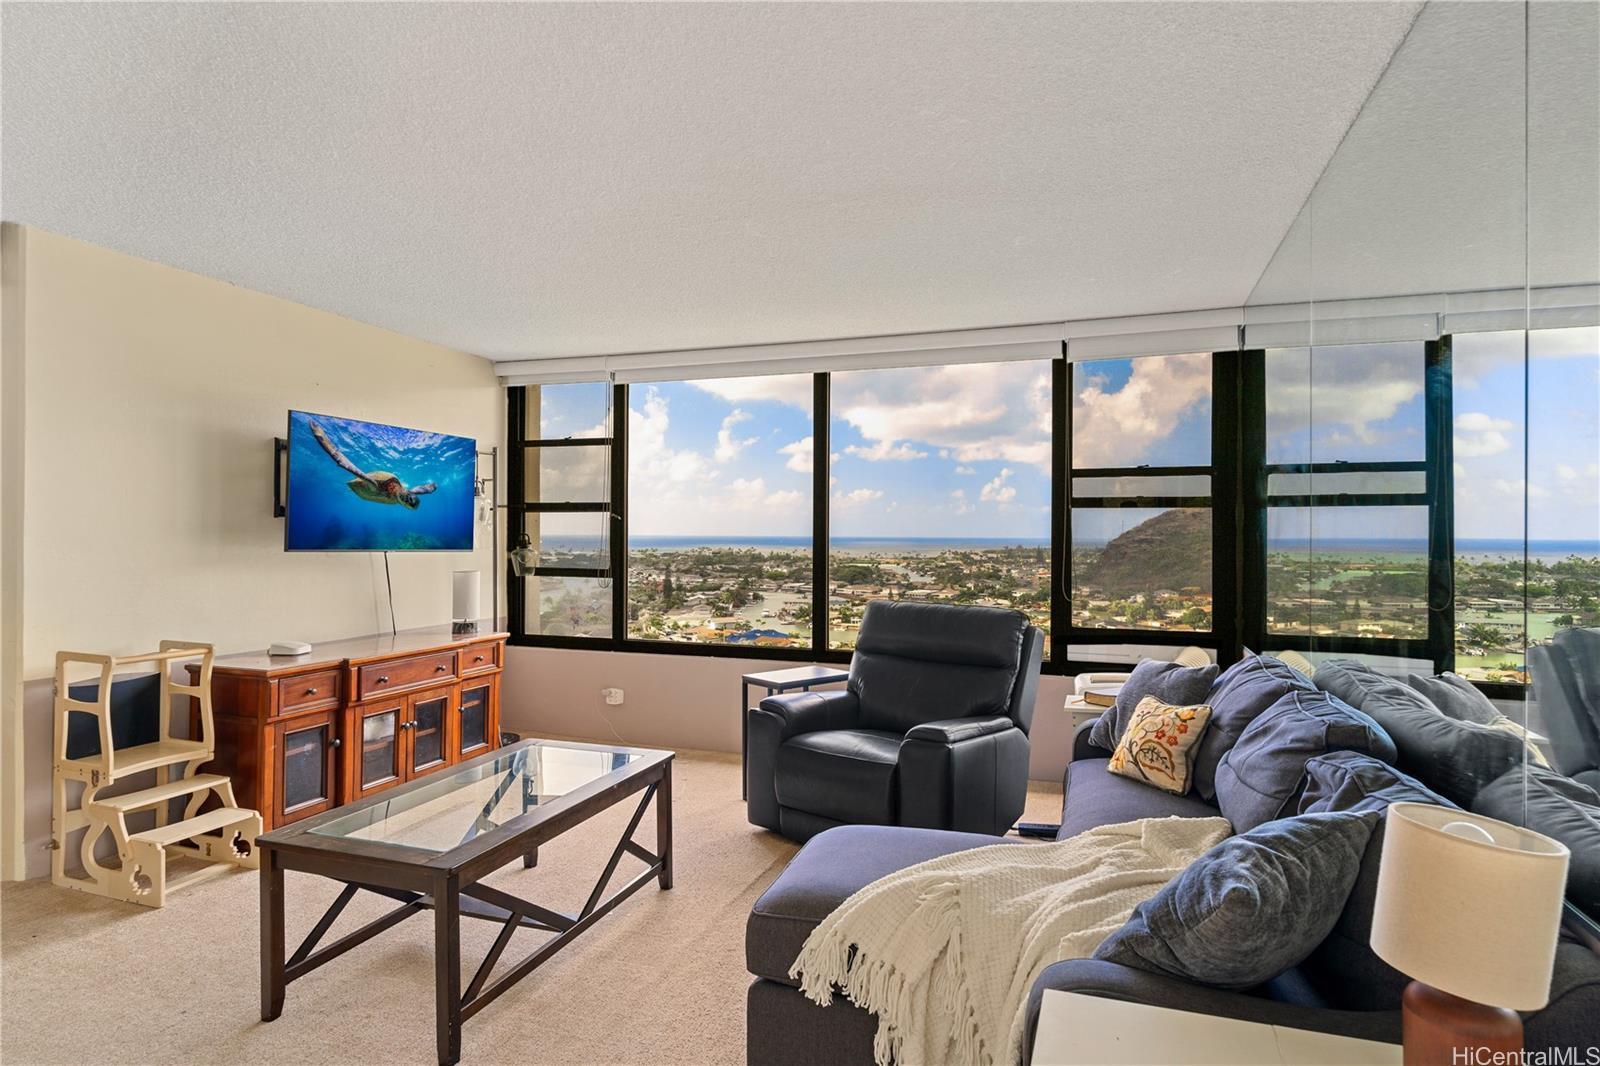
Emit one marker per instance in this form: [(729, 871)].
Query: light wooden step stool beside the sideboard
[(223, 836)]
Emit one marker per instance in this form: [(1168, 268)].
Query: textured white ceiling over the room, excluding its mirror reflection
[(561, 180)]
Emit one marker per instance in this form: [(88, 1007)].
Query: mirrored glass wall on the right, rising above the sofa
[(1431, 335)]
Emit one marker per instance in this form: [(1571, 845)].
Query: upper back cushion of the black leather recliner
[(929, 662)]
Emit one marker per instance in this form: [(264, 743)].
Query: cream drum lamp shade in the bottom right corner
[(1470, 905)]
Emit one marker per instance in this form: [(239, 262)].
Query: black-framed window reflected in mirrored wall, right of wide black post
[(1358, 500)]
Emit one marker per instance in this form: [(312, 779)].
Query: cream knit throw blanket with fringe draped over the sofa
[(946, 952)]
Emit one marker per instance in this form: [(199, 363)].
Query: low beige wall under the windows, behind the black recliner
[(687, 702)]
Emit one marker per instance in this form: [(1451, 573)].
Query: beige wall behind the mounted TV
[(153, 398)]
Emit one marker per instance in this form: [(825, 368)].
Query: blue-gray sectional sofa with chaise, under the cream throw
[(1282, 748)]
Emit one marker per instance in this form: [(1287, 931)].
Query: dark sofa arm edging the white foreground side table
[(1113, 980)]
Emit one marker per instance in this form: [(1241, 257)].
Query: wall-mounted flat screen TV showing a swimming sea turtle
[(367, 487)]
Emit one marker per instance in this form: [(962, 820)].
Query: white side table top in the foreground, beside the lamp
[(1078, 1030)]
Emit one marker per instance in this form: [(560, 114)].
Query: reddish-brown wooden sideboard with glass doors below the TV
[(306, 734)]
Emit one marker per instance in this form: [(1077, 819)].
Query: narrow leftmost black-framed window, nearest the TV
[(564, 489)]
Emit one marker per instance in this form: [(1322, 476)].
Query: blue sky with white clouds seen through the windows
[(964, 452)]
